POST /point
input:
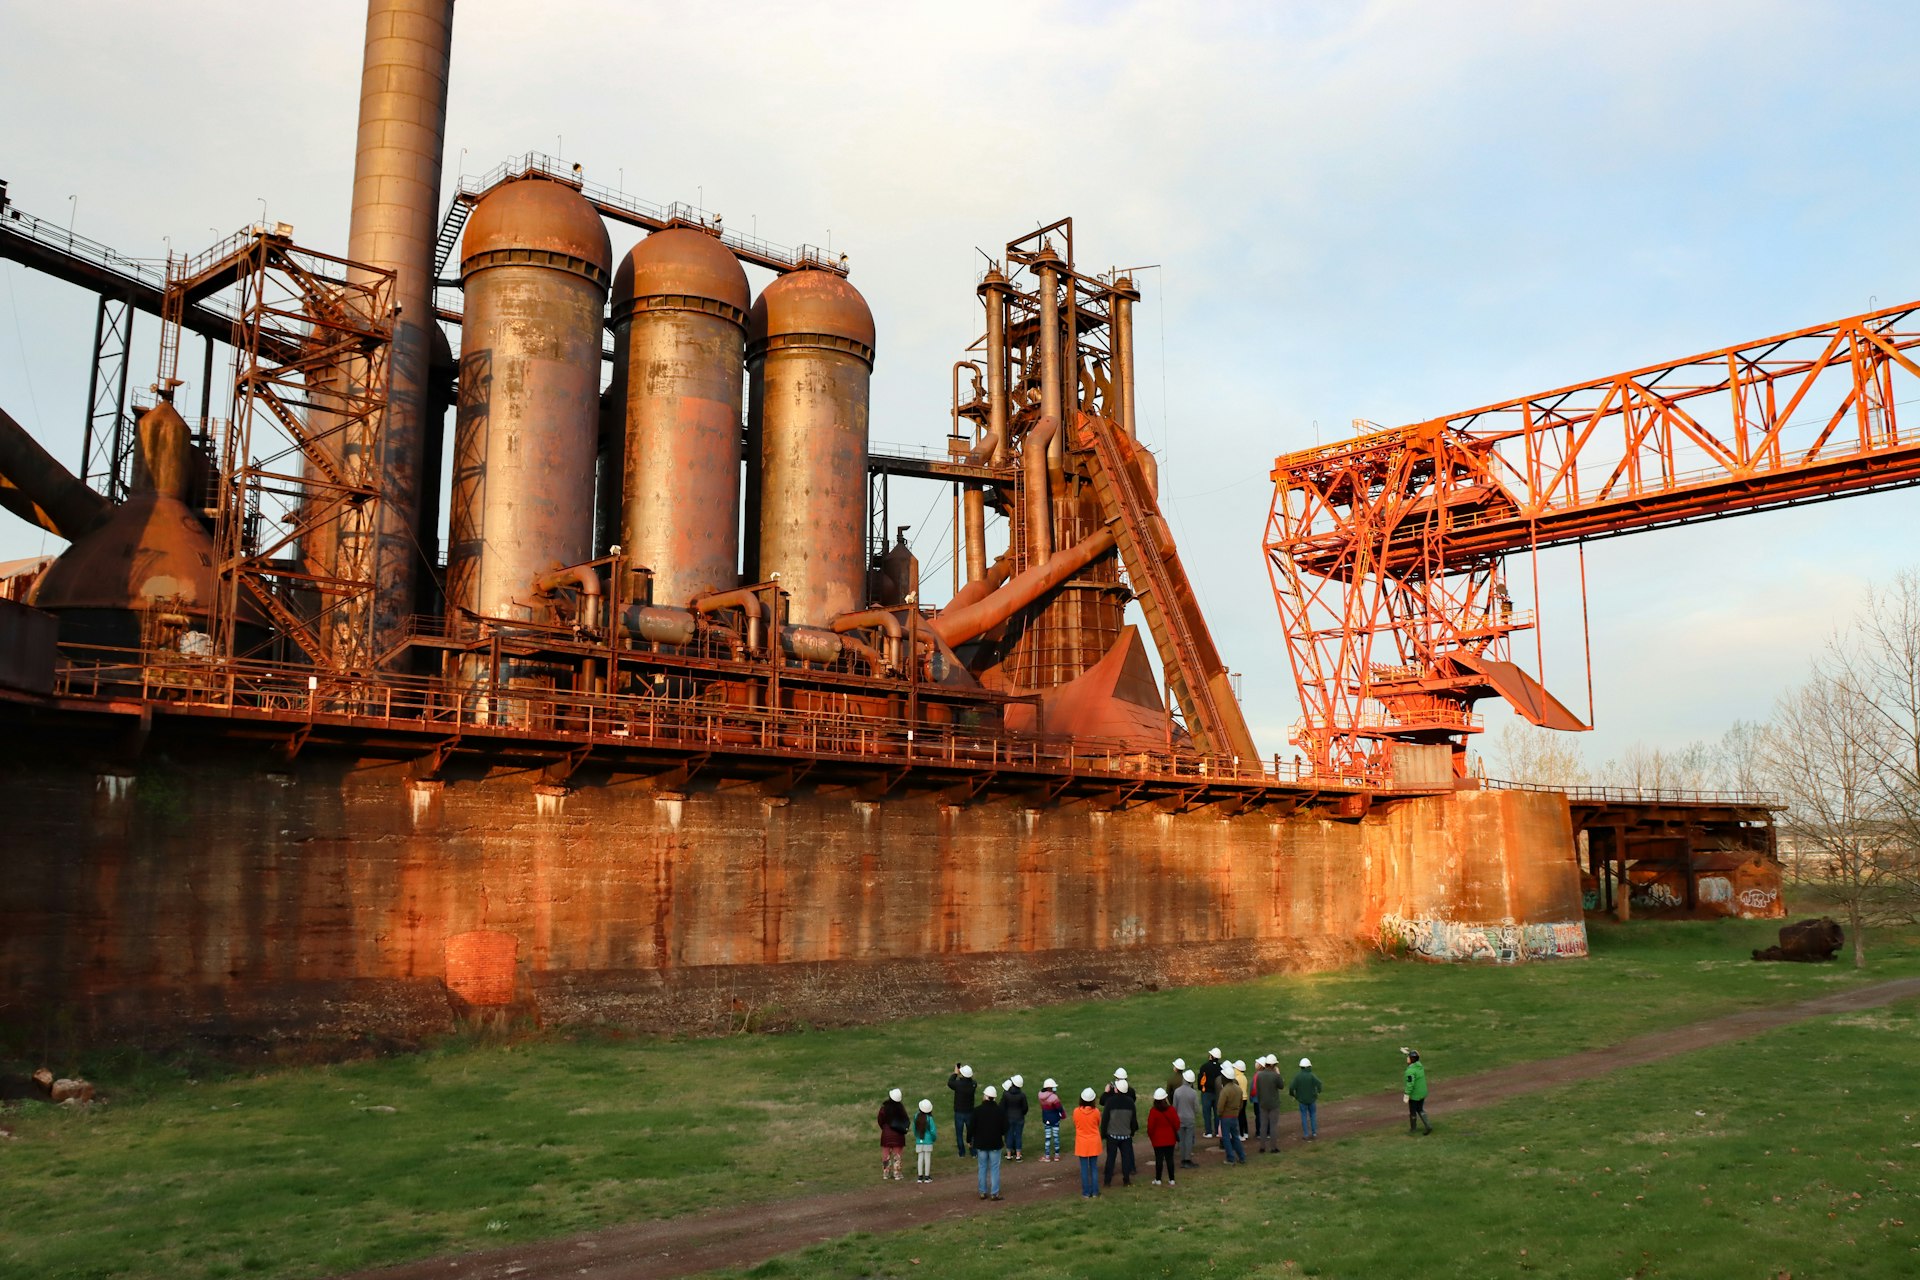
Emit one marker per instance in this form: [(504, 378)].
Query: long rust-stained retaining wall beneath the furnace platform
[(343, 899)]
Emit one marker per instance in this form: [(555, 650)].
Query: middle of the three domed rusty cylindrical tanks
[(681, 343)]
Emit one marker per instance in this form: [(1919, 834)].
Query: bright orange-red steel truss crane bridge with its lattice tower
[(1387, 552)]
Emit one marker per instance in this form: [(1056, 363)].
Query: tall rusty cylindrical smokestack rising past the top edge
[(396, 220)]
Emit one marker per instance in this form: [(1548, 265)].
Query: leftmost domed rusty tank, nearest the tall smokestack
[(535, 268)]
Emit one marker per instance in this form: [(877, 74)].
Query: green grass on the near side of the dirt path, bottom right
[(1787, 1154)]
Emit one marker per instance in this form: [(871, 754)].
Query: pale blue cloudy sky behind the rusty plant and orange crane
[(1362, 210)]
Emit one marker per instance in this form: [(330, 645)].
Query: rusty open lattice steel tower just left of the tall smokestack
[(306, 320)]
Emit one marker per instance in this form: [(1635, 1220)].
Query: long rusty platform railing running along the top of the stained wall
[(297, 696)]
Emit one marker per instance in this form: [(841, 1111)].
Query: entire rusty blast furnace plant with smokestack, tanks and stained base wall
[(675, 734)]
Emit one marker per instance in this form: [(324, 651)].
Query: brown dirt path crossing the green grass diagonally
[(757, 1233)]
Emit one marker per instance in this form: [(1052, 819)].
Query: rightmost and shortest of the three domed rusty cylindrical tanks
[(809, 364)]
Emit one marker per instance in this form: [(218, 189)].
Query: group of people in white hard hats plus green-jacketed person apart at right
[(1209, 1102)]
